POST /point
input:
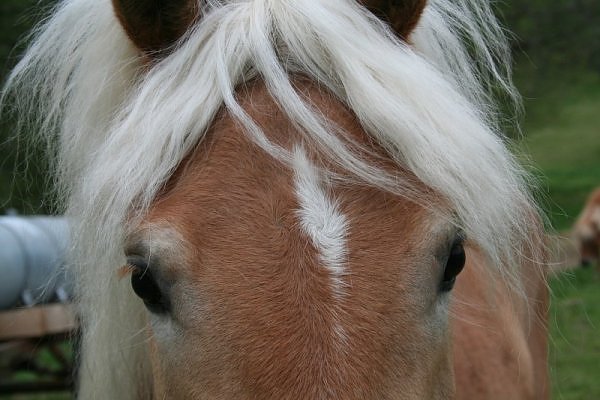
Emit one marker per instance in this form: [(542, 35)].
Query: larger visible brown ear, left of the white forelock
[(155, 25)]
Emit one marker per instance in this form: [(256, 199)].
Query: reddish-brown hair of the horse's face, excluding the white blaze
[(264, 295)]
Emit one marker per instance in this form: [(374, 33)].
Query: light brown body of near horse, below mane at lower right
[(499, 339)]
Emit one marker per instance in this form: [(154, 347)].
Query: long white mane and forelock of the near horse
[(121, 128)]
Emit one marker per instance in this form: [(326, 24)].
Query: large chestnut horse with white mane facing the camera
[(290, 199)]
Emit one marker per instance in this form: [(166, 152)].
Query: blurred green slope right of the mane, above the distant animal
[(562, 136)]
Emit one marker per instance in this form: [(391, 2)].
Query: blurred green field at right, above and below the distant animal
[(562, 135)]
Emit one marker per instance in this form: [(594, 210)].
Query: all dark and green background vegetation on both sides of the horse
[(557, 69)]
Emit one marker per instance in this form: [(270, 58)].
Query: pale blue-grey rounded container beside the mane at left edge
[(32, 254)]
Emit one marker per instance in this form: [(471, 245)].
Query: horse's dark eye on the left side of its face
[(146, 288)]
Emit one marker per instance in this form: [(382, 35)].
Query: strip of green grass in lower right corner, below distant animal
[(575, 335)]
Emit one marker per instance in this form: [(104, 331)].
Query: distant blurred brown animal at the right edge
[(586, 230)]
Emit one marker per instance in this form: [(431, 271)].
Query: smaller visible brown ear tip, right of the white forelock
[(402, 15)]
